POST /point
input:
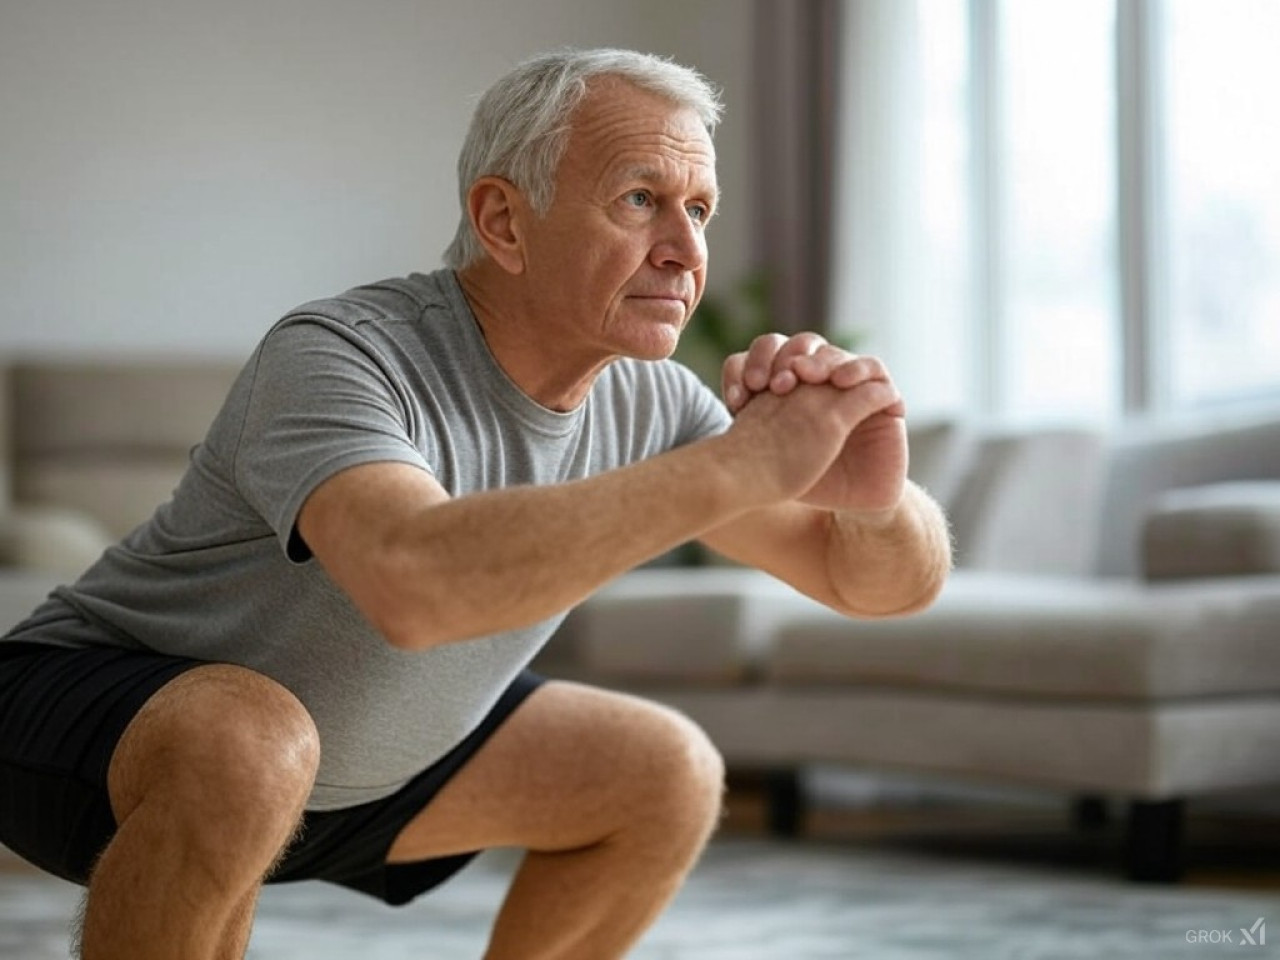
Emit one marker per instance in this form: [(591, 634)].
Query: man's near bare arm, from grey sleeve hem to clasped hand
[(428, 570)]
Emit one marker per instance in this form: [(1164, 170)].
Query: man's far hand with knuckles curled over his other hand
[(867, 470)]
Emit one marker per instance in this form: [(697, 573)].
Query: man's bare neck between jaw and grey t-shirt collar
[(524, 345)]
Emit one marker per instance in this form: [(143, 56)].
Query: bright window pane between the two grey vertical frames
[(1059, 209)]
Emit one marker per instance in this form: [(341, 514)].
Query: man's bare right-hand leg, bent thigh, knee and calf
[(612, 797)]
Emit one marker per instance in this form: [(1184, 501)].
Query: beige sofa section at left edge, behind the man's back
[(88, 450)]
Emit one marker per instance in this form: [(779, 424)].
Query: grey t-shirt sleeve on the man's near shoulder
[(321, 401)]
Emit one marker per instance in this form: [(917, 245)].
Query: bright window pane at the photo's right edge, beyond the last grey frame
[(1224, 198)]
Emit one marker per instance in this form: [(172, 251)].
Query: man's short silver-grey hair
[(522, 125)]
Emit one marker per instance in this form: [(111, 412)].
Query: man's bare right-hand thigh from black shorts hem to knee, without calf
[(566, 770)]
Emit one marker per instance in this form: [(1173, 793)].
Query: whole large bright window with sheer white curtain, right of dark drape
[(1096, 211)]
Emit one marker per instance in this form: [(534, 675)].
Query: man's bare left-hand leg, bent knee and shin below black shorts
[(208, 785)]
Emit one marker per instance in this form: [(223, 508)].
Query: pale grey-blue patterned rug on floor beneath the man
[(758, 900)]
